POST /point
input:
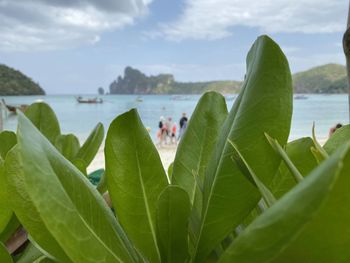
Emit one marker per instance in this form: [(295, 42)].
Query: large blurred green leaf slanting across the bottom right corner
[(295, 222)]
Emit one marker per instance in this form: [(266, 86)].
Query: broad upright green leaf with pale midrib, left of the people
[(135, 179)]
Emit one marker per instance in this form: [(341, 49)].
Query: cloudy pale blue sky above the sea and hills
[(76, 46)]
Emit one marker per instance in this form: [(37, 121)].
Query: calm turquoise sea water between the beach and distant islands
[(80, 119)]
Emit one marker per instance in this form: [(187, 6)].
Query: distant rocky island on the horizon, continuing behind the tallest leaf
[(330, 78)]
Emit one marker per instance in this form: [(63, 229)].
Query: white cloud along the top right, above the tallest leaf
[(214, 19)]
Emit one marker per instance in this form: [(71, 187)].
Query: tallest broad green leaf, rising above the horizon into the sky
[(264, 105)]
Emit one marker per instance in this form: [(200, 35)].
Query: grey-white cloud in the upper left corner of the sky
[(56, 24)]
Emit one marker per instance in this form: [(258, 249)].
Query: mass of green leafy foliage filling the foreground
[(236, 192)]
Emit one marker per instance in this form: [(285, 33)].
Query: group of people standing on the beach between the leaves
[(167, 132)]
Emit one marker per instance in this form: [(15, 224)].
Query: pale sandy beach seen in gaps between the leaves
[(166, 152)]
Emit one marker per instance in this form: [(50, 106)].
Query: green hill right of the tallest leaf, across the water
[(330, 78)]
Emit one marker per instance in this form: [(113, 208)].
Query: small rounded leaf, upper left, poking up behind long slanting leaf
[(44, 118)]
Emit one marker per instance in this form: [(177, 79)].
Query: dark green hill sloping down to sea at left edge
[(13, 82)]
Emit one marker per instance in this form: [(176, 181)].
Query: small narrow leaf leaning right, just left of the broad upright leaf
[(88, 151)]
